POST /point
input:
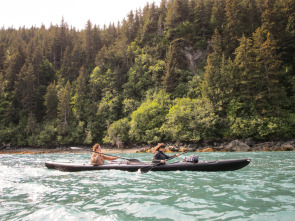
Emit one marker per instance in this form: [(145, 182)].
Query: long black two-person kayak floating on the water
[(210, 166)]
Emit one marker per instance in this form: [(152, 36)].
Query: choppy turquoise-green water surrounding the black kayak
[(264, 190)]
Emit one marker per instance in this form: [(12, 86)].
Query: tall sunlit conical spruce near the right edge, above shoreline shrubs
[(270, 94)]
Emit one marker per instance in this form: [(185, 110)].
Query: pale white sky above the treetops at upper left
[(76, 13)]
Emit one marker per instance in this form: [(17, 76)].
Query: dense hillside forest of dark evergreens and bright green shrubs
[(183, 70)]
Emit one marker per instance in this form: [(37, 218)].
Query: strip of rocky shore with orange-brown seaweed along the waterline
[(246, 145)]
